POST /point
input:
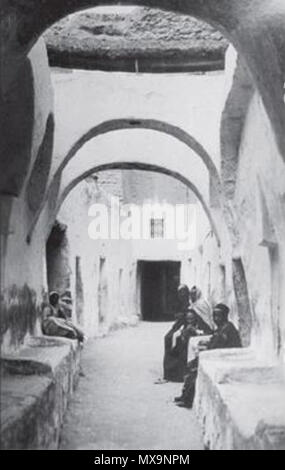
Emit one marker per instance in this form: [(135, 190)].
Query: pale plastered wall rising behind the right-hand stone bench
[(259, 202)]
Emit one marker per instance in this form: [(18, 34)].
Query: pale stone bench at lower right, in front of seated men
[(240, 402)]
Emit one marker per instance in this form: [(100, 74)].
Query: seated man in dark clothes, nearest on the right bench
[(225, 336)]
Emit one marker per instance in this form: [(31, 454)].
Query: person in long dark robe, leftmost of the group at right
[(187, 324)]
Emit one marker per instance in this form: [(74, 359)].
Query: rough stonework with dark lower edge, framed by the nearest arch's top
[(147, 36)]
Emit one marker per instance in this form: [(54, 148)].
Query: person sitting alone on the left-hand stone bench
[(54, 322)]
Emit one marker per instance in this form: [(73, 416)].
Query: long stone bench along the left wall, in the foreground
[(36, 385)]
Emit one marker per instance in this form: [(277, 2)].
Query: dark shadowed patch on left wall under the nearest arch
[(16, 123)]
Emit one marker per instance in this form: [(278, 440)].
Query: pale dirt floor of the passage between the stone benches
[(117, 404)]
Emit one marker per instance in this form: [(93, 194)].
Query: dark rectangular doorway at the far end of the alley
[(159, 283)]
